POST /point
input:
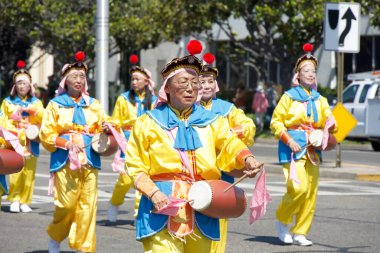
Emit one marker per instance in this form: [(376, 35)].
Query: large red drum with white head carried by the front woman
[(208, 197)]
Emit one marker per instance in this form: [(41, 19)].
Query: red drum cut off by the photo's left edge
[(10, 162)]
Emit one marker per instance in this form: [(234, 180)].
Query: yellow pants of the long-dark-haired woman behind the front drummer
[(122, 186)]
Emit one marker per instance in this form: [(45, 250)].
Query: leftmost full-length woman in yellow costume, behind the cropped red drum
[(23, 109)]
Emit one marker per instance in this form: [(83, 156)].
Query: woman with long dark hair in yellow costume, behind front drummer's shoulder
[(130, 105)]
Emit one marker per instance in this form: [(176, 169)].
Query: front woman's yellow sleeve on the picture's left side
[(138, 148)]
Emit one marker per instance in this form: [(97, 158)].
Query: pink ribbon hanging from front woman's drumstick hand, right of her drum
[(260, 199)]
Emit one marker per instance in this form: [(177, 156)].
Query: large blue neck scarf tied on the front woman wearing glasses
[(187, 137)]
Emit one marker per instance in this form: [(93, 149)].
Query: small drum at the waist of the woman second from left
[(104, 144)]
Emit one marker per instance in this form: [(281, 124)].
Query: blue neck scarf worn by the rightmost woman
[(299, 94)]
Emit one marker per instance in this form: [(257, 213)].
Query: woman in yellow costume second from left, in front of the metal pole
[(69, 122)]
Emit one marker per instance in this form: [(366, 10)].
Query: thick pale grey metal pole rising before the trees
[(102, 26)]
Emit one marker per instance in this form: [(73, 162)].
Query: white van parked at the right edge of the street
[(362, 98)]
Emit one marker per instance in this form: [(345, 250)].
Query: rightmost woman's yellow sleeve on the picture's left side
[(277, 124)]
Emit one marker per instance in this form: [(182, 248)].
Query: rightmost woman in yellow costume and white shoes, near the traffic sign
[(300, 111)]
